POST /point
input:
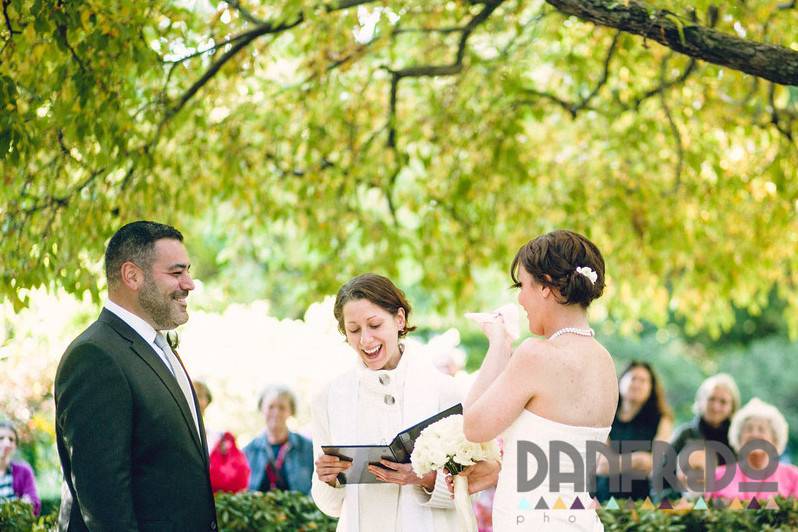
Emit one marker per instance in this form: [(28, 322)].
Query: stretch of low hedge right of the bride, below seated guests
[(712, 520)]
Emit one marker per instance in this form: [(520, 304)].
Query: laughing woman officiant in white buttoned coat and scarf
[(388, 389)]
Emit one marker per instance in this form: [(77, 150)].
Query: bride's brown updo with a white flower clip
[(565, 261)]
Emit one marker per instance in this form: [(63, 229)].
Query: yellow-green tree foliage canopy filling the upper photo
[(683, 174)]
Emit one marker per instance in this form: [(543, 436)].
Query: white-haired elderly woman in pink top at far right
[(757, 420)]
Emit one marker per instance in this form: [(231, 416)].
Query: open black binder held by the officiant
[(399, 450)]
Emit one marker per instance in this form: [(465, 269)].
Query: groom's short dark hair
[(135, 243)]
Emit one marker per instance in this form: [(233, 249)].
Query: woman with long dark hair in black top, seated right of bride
[(642, 415)]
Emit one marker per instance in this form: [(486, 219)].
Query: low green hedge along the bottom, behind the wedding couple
[(294, 512)]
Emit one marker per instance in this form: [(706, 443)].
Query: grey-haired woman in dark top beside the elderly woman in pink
[(716, 400)]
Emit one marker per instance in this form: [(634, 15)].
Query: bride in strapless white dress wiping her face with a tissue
[(559, 388)]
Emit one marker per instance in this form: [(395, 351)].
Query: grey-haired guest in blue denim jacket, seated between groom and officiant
[(279, 458)]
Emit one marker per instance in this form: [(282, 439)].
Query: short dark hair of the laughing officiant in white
[(379, 290)]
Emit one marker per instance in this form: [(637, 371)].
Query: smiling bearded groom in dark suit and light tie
[(130, 439)]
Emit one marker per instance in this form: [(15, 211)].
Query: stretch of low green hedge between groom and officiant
[(274, 511)]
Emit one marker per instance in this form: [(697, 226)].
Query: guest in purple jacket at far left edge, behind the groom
[(16, 476)]
